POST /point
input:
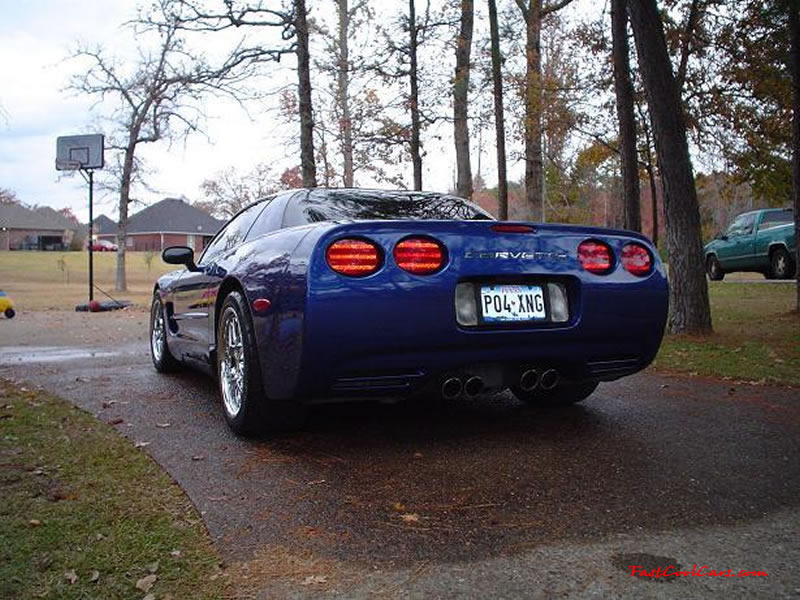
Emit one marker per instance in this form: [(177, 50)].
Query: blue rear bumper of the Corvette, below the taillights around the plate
[(401, 342)]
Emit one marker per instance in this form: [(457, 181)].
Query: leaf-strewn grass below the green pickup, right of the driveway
[(756, 336)]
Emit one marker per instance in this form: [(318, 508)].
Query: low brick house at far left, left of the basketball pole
[(42, 229)]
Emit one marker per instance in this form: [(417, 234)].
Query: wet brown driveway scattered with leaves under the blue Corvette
[(457, 499)]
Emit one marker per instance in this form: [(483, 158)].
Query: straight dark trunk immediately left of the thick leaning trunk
[(623, 89)]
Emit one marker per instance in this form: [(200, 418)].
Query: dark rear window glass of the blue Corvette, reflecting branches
[(351, 205)]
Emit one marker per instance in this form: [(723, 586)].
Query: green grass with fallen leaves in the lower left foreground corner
[(86, 515)]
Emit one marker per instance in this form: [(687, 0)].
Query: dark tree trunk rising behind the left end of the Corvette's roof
[(307, 164)]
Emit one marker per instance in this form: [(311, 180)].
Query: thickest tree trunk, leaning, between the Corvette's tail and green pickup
[(688, 290)]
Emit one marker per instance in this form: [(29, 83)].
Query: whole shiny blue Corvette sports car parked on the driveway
[(313, 295)]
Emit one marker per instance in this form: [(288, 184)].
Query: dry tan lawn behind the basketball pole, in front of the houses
[(59, 280)]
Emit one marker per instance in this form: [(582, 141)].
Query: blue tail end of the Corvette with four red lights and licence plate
[(394, 307)]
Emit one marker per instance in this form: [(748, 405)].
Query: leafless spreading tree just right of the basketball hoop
[(157, 98)]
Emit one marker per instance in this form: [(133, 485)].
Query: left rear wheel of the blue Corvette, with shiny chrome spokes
[(247, 409)]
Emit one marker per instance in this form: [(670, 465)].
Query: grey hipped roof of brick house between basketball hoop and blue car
[(175, 216)]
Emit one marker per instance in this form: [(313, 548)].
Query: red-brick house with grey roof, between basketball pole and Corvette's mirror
[(171, 222)]
